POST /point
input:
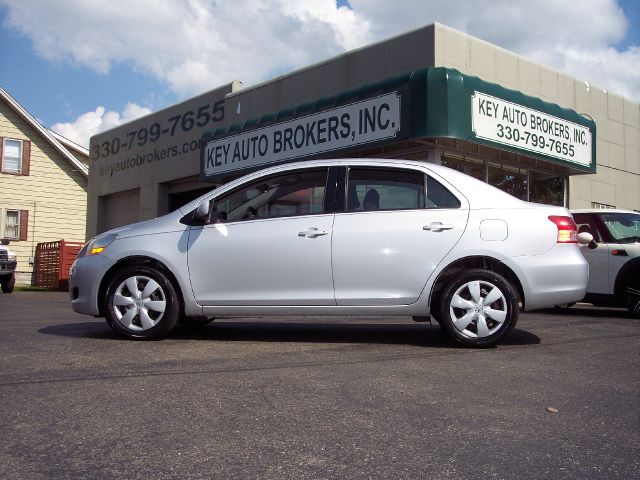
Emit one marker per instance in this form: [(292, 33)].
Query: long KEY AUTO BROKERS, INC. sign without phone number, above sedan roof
[(358, 123)]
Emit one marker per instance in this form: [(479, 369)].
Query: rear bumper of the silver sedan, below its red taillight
[(557, 277)]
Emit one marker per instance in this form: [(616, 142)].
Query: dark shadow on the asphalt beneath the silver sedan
[(238, 331)]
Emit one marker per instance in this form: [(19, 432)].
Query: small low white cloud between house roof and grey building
[(90, 123)]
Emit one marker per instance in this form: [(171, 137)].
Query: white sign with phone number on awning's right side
[(508, 123)]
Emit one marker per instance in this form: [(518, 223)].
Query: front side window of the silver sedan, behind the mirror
[(300, 192)]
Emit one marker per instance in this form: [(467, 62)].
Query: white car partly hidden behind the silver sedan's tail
[(614, 257)]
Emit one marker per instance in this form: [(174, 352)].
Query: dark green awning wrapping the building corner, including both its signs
[(428, 103)]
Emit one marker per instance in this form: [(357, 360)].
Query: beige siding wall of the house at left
[(54, 193)]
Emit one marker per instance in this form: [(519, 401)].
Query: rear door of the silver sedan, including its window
[(392, 235)]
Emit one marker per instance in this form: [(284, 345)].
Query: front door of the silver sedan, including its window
[(268, 243)]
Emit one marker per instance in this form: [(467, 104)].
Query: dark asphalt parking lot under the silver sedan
[(316, 398)]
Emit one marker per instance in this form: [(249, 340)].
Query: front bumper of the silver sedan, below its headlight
[(85, 277)]
